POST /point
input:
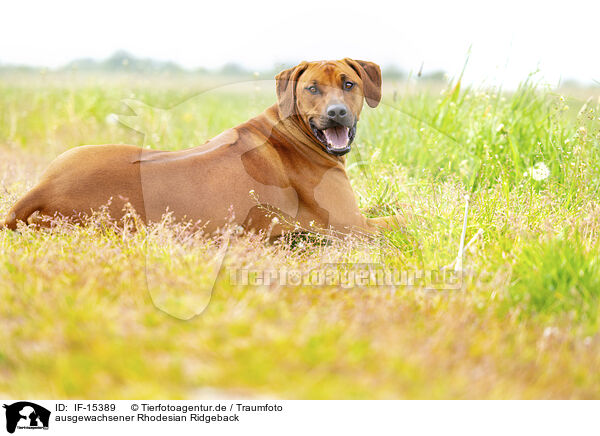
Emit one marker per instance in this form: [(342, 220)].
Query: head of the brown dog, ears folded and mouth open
[(327, 97)]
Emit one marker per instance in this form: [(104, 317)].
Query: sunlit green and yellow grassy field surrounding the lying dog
[(76, 315)]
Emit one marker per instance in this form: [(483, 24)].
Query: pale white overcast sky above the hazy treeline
[(509, 39)]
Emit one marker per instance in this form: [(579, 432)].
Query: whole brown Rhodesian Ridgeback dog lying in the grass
[(286, 161)]
